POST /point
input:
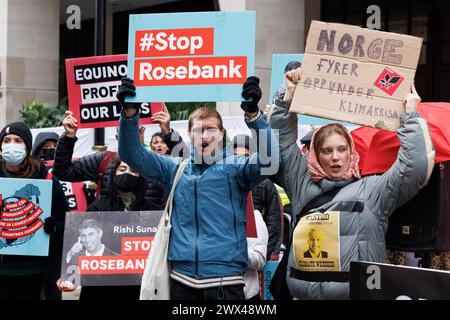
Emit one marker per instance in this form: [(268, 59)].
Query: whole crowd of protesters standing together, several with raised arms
[(210, 254)]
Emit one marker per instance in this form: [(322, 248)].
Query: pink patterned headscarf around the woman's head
[(315, 169)]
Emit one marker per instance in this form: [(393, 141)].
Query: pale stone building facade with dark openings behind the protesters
[(35, 39)]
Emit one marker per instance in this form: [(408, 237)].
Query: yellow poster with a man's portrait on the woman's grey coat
[(316, 242)]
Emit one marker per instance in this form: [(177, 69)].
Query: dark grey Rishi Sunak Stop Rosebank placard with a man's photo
[(107, 248)]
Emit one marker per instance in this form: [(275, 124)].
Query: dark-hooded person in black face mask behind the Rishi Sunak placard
[(126, 193)]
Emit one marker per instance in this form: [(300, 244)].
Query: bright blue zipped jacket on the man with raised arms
[(208, 237)]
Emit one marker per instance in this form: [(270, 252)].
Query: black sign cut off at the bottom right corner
[(379, 281)]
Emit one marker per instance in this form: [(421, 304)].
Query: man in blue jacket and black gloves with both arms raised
[(208, 248)]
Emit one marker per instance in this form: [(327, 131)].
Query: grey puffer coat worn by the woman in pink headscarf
[(362, 231)]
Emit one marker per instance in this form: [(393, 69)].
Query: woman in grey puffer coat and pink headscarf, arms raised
[(351, 225)]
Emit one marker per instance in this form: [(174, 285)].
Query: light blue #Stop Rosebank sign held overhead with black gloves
[(182, 57)]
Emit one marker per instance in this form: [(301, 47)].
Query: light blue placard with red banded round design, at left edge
[(24, 205)]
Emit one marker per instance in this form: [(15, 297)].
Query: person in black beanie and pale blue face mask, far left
[(24, 277)]
